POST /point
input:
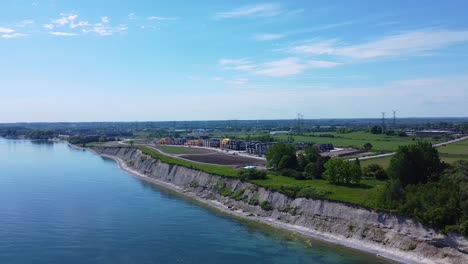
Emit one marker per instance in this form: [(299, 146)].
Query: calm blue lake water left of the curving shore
[(64, 205)]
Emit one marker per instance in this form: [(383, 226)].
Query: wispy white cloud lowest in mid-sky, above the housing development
[(279, 68)]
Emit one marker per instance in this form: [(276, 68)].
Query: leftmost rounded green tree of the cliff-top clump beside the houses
[(281, 153)]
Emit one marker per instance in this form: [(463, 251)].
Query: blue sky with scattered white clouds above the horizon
[(204, 60)]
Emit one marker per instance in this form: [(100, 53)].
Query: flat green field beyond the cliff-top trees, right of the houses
[(380, 143)]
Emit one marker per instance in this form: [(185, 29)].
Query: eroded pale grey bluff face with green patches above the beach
[(384, 233)]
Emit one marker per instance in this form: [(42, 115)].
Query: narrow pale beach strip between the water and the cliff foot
[(379, 251)]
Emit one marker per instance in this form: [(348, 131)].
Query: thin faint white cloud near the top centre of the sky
[(260, 10)]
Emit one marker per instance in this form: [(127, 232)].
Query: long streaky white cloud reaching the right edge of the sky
[(408, 43)]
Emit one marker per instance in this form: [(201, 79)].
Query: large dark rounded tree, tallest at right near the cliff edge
[(413, 164)]
